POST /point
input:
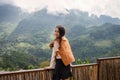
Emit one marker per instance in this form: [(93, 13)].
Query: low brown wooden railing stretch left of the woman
[(35, 74)]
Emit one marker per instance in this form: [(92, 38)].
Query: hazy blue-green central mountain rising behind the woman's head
[(41, 24)]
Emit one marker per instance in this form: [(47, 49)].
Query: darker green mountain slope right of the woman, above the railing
[(97, 41)]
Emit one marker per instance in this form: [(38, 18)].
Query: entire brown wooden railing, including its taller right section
[(104, 69)]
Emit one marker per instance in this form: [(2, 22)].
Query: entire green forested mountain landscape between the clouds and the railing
[(25, 37)]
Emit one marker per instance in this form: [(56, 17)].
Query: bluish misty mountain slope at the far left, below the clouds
[(10, 16)]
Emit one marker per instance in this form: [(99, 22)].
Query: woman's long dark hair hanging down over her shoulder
[(61, 33)]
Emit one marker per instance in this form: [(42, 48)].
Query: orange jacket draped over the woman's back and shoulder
[(65, 52)]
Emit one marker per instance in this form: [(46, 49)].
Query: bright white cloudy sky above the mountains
[(98, 7)]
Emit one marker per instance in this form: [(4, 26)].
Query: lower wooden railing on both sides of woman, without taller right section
[(82, 72)]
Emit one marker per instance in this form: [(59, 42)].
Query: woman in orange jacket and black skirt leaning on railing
[(62, 55)]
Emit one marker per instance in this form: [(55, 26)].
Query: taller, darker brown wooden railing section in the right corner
[(109, 68)]
